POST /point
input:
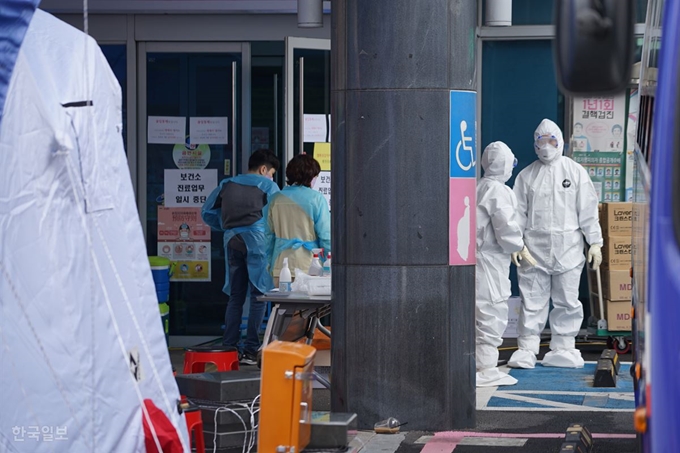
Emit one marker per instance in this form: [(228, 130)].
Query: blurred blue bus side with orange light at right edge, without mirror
[(656, 270)]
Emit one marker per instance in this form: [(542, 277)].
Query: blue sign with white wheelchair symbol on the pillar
[(462, 134)]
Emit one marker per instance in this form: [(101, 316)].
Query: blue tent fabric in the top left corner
[(15, 15)]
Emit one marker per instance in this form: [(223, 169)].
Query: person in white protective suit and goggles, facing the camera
[(557, 208)]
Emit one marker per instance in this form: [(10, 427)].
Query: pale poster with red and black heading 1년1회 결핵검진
[(599, 124)]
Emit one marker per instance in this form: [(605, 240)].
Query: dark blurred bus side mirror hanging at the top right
[(594, 45)]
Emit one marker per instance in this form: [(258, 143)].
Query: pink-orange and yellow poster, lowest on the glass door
[(184, 239)]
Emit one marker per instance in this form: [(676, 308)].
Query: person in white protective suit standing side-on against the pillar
[(498, 236)]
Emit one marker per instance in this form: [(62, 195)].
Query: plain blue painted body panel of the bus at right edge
[(663, 275)]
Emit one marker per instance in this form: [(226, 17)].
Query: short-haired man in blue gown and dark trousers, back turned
[(235, 207)]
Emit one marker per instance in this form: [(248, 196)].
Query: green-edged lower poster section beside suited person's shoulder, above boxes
[(605, 170)]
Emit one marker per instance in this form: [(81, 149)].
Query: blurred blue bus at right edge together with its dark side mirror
[(594, 47)]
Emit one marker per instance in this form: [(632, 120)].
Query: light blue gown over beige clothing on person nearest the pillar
[(298, 221)]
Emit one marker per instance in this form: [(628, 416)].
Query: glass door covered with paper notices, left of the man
[(190, 123)]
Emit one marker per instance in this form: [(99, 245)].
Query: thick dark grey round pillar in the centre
[(403, 318)]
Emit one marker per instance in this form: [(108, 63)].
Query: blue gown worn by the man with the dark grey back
[(253, 235)]
